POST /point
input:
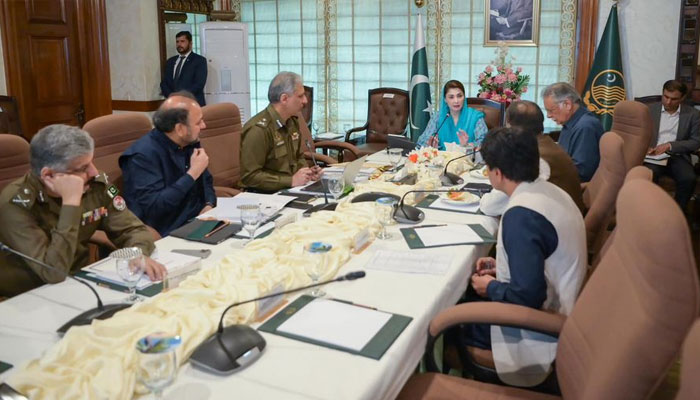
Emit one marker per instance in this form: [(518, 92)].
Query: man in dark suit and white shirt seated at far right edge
[(676, 131)]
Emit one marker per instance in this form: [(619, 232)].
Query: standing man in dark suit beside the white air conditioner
[(186, 71)]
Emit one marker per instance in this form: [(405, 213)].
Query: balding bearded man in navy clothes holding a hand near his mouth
[(166, 181)]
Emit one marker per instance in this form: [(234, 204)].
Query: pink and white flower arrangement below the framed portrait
[(500, 81)]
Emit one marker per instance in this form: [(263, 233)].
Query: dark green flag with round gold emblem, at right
[(605, 85)]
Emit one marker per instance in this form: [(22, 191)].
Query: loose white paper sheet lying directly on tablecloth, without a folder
[(409, 262)]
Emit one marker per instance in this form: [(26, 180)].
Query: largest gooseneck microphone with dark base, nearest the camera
[(237, 346)]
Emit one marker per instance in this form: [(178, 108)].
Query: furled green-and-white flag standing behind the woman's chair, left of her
[(420, 88)]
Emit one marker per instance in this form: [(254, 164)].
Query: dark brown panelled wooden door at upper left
[(51, 56)]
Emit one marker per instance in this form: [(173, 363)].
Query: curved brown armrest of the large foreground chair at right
[(496, 313)]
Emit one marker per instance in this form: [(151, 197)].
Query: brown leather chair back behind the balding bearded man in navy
[(113, 134)]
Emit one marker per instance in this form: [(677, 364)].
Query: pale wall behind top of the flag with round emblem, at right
[(649, 40)]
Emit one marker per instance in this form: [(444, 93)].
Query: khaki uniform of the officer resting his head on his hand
[(38, 225)]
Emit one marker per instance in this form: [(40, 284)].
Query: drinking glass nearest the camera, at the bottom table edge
[(156, 362)]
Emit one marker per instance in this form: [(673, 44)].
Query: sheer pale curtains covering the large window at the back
[(343, 48)]
